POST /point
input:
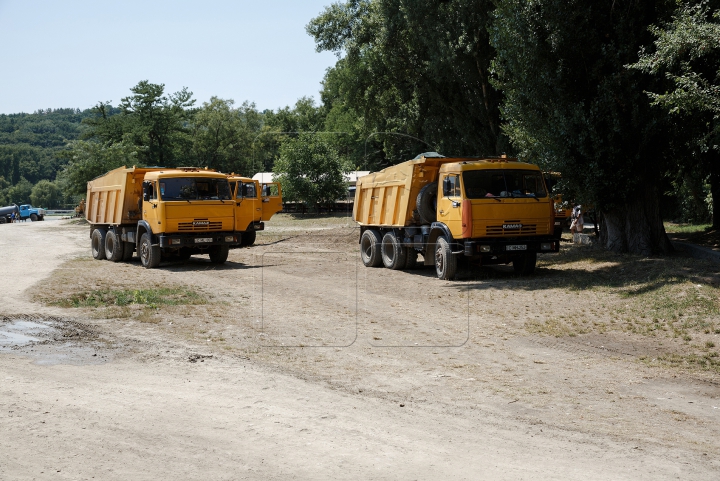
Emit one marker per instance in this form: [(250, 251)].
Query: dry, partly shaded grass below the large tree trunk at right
[(669, 298)]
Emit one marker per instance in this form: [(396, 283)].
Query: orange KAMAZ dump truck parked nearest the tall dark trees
[(491, 210)]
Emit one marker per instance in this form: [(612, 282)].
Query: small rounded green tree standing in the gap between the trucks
[(310, 171)]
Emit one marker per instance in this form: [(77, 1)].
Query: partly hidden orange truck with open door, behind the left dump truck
[(255, 204)]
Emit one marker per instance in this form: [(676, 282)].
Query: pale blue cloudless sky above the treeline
[(75, 53)]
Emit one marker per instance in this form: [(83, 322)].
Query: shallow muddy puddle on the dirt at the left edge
[(53, 340)]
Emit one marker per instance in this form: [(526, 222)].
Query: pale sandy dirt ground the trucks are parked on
[(306, 365)]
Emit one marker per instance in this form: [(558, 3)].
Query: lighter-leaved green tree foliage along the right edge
[(686, 51)]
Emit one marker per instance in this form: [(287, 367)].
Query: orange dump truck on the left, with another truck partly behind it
[(160, 213)]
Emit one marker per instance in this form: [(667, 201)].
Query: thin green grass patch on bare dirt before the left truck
[(164, 296)]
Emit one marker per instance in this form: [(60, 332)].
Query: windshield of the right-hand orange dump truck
[(503, 183)]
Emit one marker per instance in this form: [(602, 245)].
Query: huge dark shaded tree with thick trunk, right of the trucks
[(572, 106)]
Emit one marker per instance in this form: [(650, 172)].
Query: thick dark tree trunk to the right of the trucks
[(636, 227)]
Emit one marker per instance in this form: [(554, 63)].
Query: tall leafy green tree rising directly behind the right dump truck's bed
[(413, 67)]
